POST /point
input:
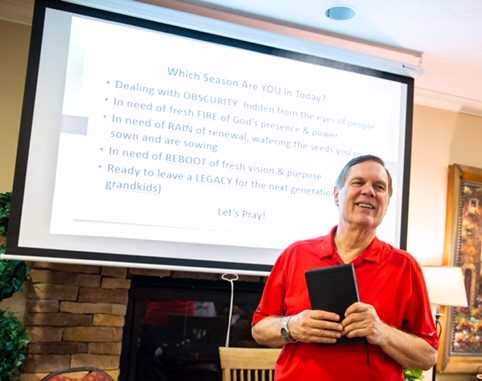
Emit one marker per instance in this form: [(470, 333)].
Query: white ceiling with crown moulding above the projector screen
[(447, 33)]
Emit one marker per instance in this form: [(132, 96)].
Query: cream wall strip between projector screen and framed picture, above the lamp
[(432, 136)]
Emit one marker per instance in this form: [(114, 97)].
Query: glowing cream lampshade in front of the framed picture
[(445, 286)]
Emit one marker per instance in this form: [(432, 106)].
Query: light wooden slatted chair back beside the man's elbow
[(248, 364)]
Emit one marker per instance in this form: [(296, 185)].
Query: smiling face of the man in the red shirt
[(363, 199)]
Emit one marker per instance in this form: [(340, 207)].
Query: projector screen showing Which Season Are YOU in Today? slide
[(148, 144)]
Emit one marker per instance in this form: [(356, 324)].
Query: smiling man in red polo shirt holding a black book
[(394, 314)]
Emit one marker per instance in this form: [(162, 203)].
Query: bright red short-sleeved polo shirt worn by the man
[(388, 278)]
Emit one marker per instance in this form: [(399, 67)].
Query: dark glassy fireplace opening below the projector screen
[(174, 327)]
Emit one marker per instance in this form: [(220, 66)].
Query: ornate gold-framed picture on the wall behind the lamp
[(461, 341)]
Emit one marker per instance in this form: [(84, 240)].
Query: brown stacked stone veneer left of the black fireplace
[(75, 316)]
